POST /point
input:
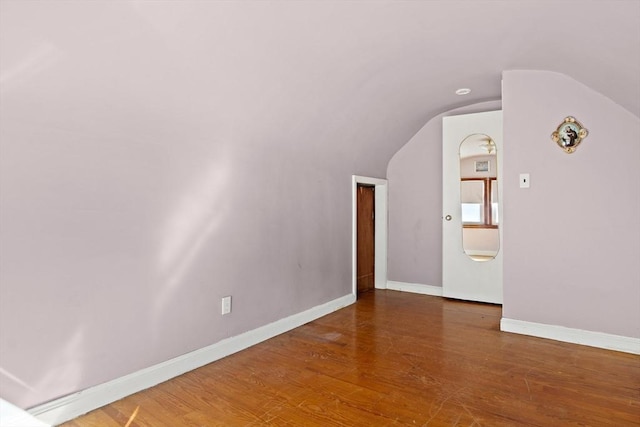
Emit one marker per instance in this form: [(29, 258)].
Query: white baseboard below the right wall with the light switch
[(575, 336)]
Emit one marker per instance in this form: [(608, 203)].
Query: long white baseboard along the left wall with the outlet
[(76, 404)]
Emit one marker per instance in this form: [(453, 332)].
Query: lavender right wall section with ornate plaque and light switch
[(571, 241)]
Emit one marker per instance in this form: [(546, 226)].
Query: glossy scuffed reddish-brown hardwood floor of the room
[(391, 359)]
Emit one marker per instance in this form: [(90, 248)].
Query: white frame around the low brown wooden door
[(380, 225)]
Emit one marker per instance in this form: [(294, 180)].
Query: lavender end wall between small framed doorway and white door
[(415, 203)]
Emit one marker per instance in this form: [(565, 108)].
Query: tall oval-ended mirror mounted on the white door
[(479, 197)]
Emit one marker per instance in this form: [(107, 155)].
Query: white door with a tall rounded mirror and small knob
[(472, 172)]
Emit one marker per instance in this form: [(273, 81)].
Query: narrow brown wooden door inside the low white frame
[(365, 238)]
